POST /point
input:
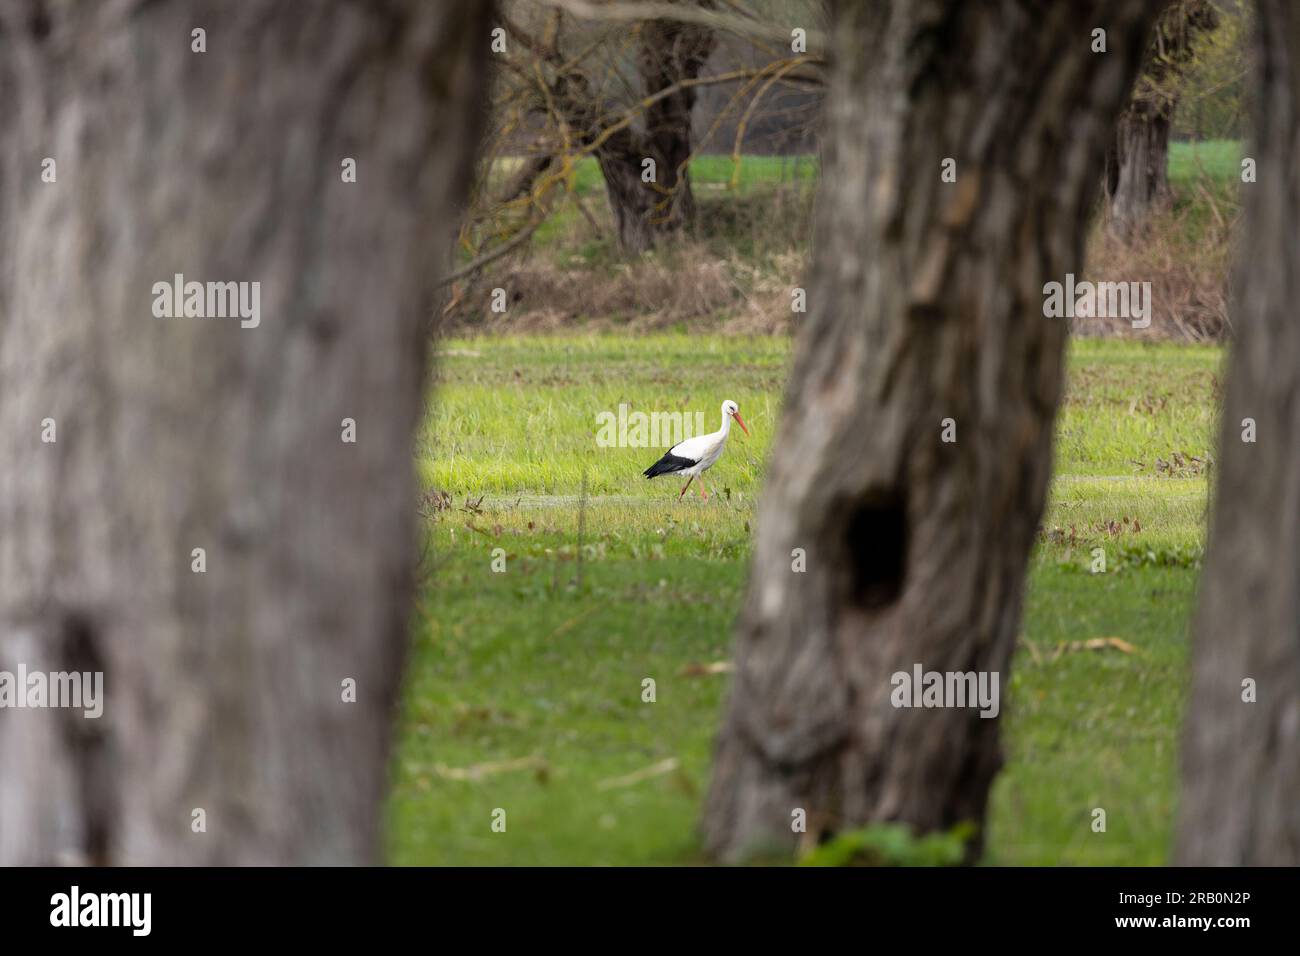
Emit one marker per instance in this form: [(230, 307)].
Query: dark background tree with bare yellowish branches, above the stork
[(591, 81)]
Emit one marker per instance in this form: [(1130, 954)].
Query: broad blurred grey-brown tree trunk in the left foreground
[(224, 690)]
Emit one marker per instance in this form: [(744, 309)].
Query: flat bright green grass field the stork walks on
[(526, 687)]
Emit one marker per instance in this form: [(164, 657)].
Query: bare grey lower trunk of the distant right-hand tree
[(1138, 167)]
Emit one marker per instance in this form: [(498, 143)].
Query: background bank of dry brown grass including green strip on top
[(734, 272)]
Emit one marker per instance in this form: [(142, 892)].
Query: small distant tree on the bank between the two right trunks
[(1137, 178)]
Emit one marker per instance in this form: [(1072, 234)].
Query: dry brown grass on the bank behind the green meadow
[(736, 274)]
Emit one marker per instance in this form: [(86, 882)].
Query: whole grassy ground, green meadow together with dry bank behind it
[(526, 685)]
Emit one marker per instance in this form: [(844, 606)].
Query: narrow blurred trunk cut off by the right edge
[(1241, 802)]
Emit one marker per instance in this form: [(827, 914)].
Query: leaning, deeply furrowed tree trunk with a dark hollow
[(926, 304)]
